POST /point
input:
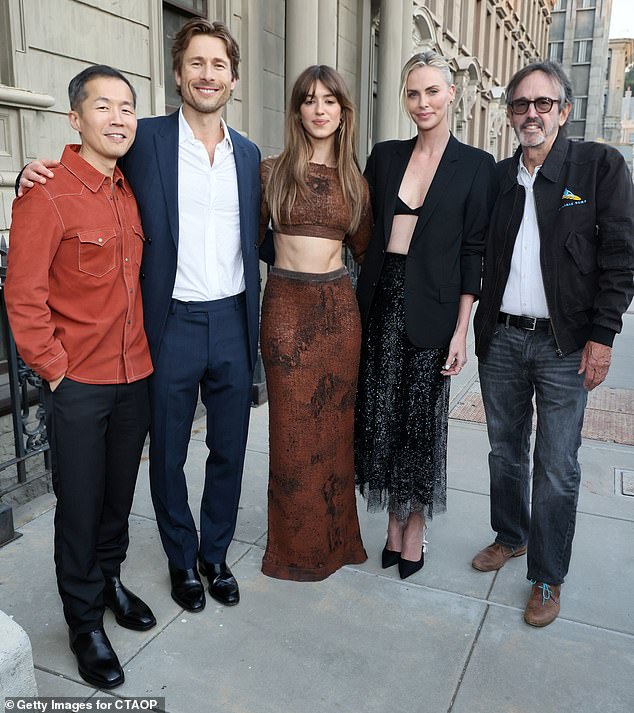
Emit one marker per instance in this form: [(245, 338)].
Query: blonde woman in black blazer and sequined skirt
[(431, 198)]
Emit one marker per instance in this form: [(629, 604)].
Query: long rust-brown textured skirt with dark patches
[(311, 339)]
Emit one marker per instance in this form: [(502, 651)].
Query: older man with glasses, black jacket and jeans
[(557, 280)]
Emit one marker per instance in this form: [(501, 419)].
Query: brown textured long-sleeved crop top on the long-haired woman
[(323, 214)]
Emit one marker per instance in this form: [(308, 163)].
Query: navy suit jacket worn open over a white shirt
[(151, 167)]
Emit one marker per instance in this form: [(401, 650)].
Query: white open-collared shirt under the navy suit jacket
[(209, 265)]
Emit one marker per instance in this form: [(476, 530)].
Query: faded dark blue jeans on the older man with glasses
[(521, 363)]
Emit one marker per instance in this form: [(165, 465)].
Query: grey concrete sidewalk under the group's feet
[(449, 639)]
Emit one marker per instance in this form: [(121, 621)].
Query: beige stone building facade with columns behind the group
[(43, 43)]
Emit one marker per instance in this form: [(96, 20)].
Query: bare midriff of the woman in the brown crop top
[(306, 253)]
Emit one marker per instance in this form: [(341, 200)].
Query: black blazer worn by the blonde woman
[(445, 255)]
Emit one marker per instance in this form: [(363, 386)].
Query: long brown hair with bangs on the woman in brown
[(290, 172)]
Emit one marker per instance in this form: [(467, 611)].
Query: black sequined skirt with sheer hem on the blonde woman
[(401, 410)]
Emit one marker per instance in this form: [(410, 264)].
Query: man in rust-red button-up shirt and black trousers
[(74, 305)]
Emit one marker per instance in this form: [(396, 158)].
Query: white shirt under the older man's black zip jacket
[(524, 293)]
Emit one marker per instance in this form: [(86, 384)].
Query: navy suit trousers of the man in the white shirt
[(204, 347)]
